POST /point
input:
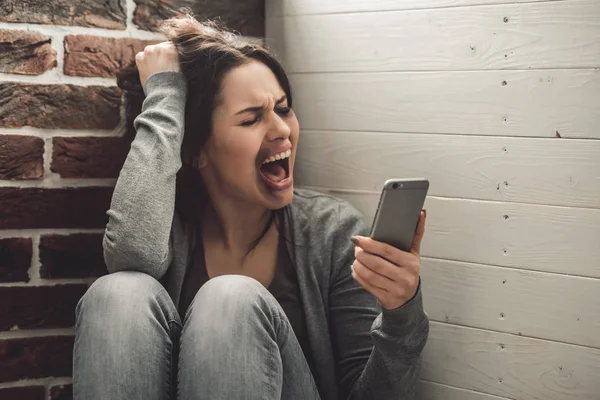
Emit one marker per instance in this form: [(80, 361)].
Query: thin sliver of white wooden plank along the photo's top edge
[(276, 8)]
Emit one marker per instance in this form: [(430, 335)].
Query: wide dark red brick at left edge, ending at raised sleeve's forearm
[(30, 208)]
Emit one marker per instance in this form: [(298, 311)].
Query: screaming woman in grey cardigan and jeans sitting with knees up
[(227, 283)]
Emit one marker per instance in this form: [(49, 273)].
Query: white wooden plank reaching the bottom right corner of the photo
[(511, 366)]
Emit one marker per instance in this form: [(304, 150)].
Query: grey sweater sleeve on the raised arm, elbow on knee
[(138, 232)]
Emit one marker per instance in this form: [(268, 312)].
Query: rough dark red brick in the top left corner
[(109, 14)]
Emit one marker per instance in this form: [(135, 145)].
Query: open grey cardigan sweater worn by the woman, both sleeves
[(359, 351)]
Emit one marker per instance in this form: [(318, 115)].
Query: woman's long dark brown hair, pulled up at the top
[(207, 51)]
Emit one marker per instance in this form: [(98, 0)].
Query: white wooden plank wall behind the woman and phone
[(497, 102)]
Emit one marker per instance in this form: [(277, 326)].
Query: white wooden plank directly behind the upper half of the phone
[(533, 237)]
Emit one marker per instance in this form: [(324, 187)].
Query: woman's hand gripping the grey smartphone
[(389, 274)]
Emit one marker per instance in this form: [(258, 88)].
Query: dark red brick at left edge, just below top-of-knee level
[(31, 307)]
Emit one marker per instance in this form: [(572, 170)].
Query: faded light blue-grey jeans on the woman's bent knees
[(235, 342)]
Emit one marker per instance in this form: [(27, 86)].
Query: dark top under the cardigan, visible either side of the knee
[(284, 287)]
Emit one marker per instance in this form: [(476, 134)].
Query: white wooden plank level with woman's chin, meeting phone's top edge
[(550, 171)]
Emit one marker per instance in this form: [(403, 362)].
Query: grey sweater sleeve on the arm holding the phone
[(378, 354)]
